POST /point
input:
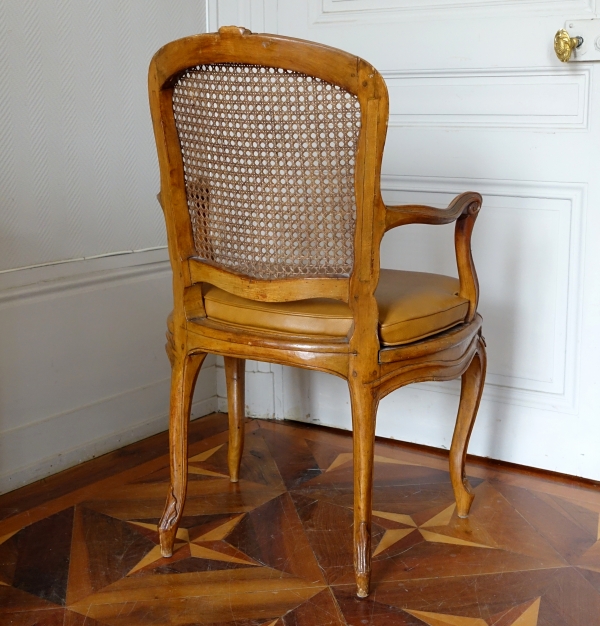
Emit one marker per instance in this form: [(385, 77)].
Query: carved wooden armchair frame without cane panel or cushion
[(372, 371)]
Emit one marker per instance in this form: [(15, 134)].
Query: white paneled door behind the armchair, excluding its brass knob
[(480, 102)]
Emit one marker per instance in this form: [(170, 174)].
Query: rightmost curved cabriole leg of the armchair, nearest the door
[(470, 396)]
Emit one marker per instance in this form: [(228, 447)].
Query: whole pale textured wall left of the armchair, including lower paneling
[(82, 362)]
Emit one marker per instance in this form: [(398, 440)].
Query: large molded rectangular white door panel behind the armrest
[(533, 347)]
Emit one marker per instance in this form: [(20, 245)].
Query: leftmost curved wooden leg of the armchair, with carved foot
[(183, 380)]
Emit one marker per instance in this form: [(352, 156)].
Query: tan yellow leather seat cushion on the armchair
[(412, 306)]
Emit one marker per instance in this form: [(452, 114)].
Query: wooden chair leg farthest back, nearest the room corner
[(235, 374)]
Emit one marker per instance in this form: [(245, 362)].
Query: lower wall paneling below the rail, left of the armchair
[(83, 369)]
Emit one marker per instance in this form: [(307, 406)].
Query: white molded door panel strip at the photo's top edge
[(333, 11)]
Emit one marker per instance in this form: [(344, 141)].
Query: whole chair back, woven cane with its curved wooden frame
[(264, 145)]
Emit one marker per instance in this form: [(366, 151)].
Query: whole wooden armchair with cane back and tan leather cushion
[(270, 154)]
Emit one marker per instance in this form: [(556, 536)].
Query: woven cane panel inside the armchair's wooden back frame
[(269, 169)]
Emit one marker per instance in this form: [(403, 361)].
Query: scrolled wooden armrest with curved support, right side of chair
[(463, 209)]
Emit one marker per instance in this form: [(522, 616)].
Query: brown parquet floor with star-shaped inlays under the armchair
[(275, 550)]
